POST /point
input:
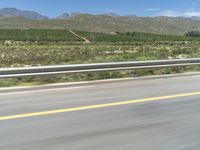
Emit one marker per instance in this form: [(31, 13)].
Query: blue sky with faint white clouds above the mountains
[(53, 8)]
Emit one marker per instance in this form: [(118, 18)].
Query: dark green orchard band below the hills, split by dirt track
[(44, 35)]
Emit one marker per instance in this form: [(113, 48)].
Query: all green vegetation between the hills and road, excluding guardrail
[(34, 47)]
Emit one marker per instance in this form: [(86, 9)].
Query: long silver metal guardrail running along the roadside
[(96, 67)]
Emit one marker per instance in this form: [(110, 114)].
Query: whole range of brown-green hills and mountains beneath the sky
[(108, 22)]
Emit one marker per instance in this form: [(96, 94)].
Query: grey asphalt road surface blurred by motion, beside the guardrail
[(154, 114)]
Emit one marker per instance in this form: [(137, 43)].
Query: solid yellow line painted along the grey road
[(73, 109)]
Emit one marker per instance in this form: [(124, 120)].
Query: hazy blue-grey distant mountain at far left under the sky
[(13, 12)]
